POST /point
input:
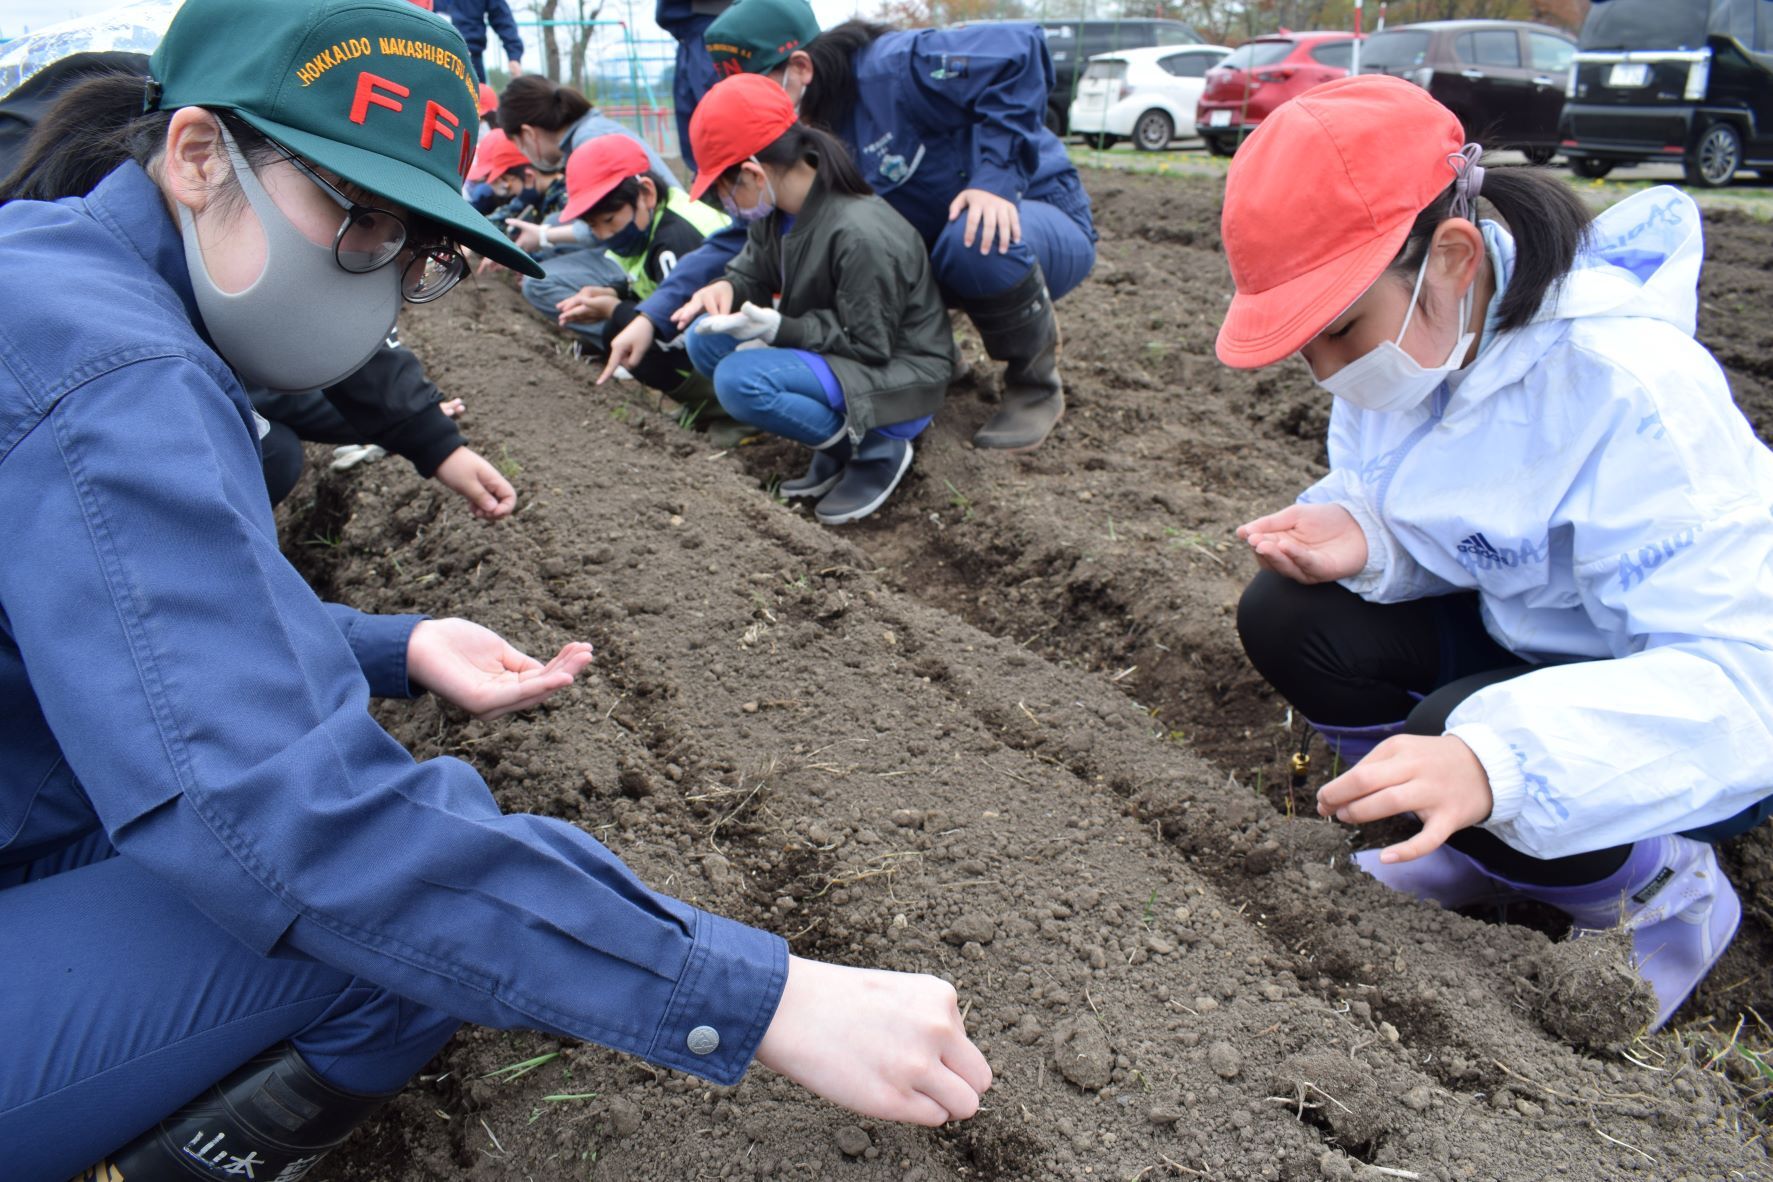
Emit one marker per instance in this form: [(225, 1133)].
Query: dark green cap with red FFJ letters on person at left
[(377, 91)]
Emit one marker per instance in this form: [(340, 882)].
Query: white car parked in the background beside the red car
[(1146, 97)]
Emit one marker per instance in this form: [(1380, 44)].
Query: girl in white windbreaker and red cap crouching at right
[(1533, 600)]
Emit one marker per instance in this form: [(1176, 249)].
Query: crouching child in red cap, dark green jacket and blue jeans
[(859, 354)]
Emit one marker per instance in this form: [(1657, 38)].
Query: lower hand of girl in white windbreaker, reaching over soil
[(1437, 779)]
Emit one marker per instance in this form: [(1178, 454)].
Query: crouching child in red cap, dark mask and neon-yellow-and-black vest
[(644, 224)]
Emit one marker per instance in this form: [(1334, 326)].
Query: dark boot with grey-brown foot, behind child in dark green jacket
[(1019, 327)]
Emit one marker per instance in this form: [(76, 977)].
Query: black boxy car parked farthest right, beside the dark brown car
[(1687, 81)]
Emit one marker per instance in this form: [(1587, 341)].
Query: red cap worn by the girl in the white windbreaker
[(1318, 203)]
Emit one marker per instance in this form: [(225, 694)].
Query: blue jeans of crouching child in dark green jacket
[(788, 393)]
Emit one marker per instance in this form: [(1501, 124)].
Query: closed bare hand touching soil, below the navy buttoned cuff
[(882, 1045)]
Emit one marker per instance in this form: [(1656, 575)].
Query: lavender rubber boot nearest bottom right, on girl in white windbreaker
[(1675, 901)]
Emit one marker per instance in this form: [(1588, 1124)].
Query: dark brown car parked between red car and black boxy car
[(1503, 79)]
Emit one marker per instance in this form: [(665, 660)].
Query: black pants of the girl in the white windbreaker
[(1345, 662)]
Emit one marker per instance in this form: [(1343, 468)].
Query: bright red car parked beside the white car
[(1261, 75)]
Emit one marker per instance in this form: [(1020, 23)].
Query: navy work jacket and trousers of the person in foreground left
[(207, 843)]
